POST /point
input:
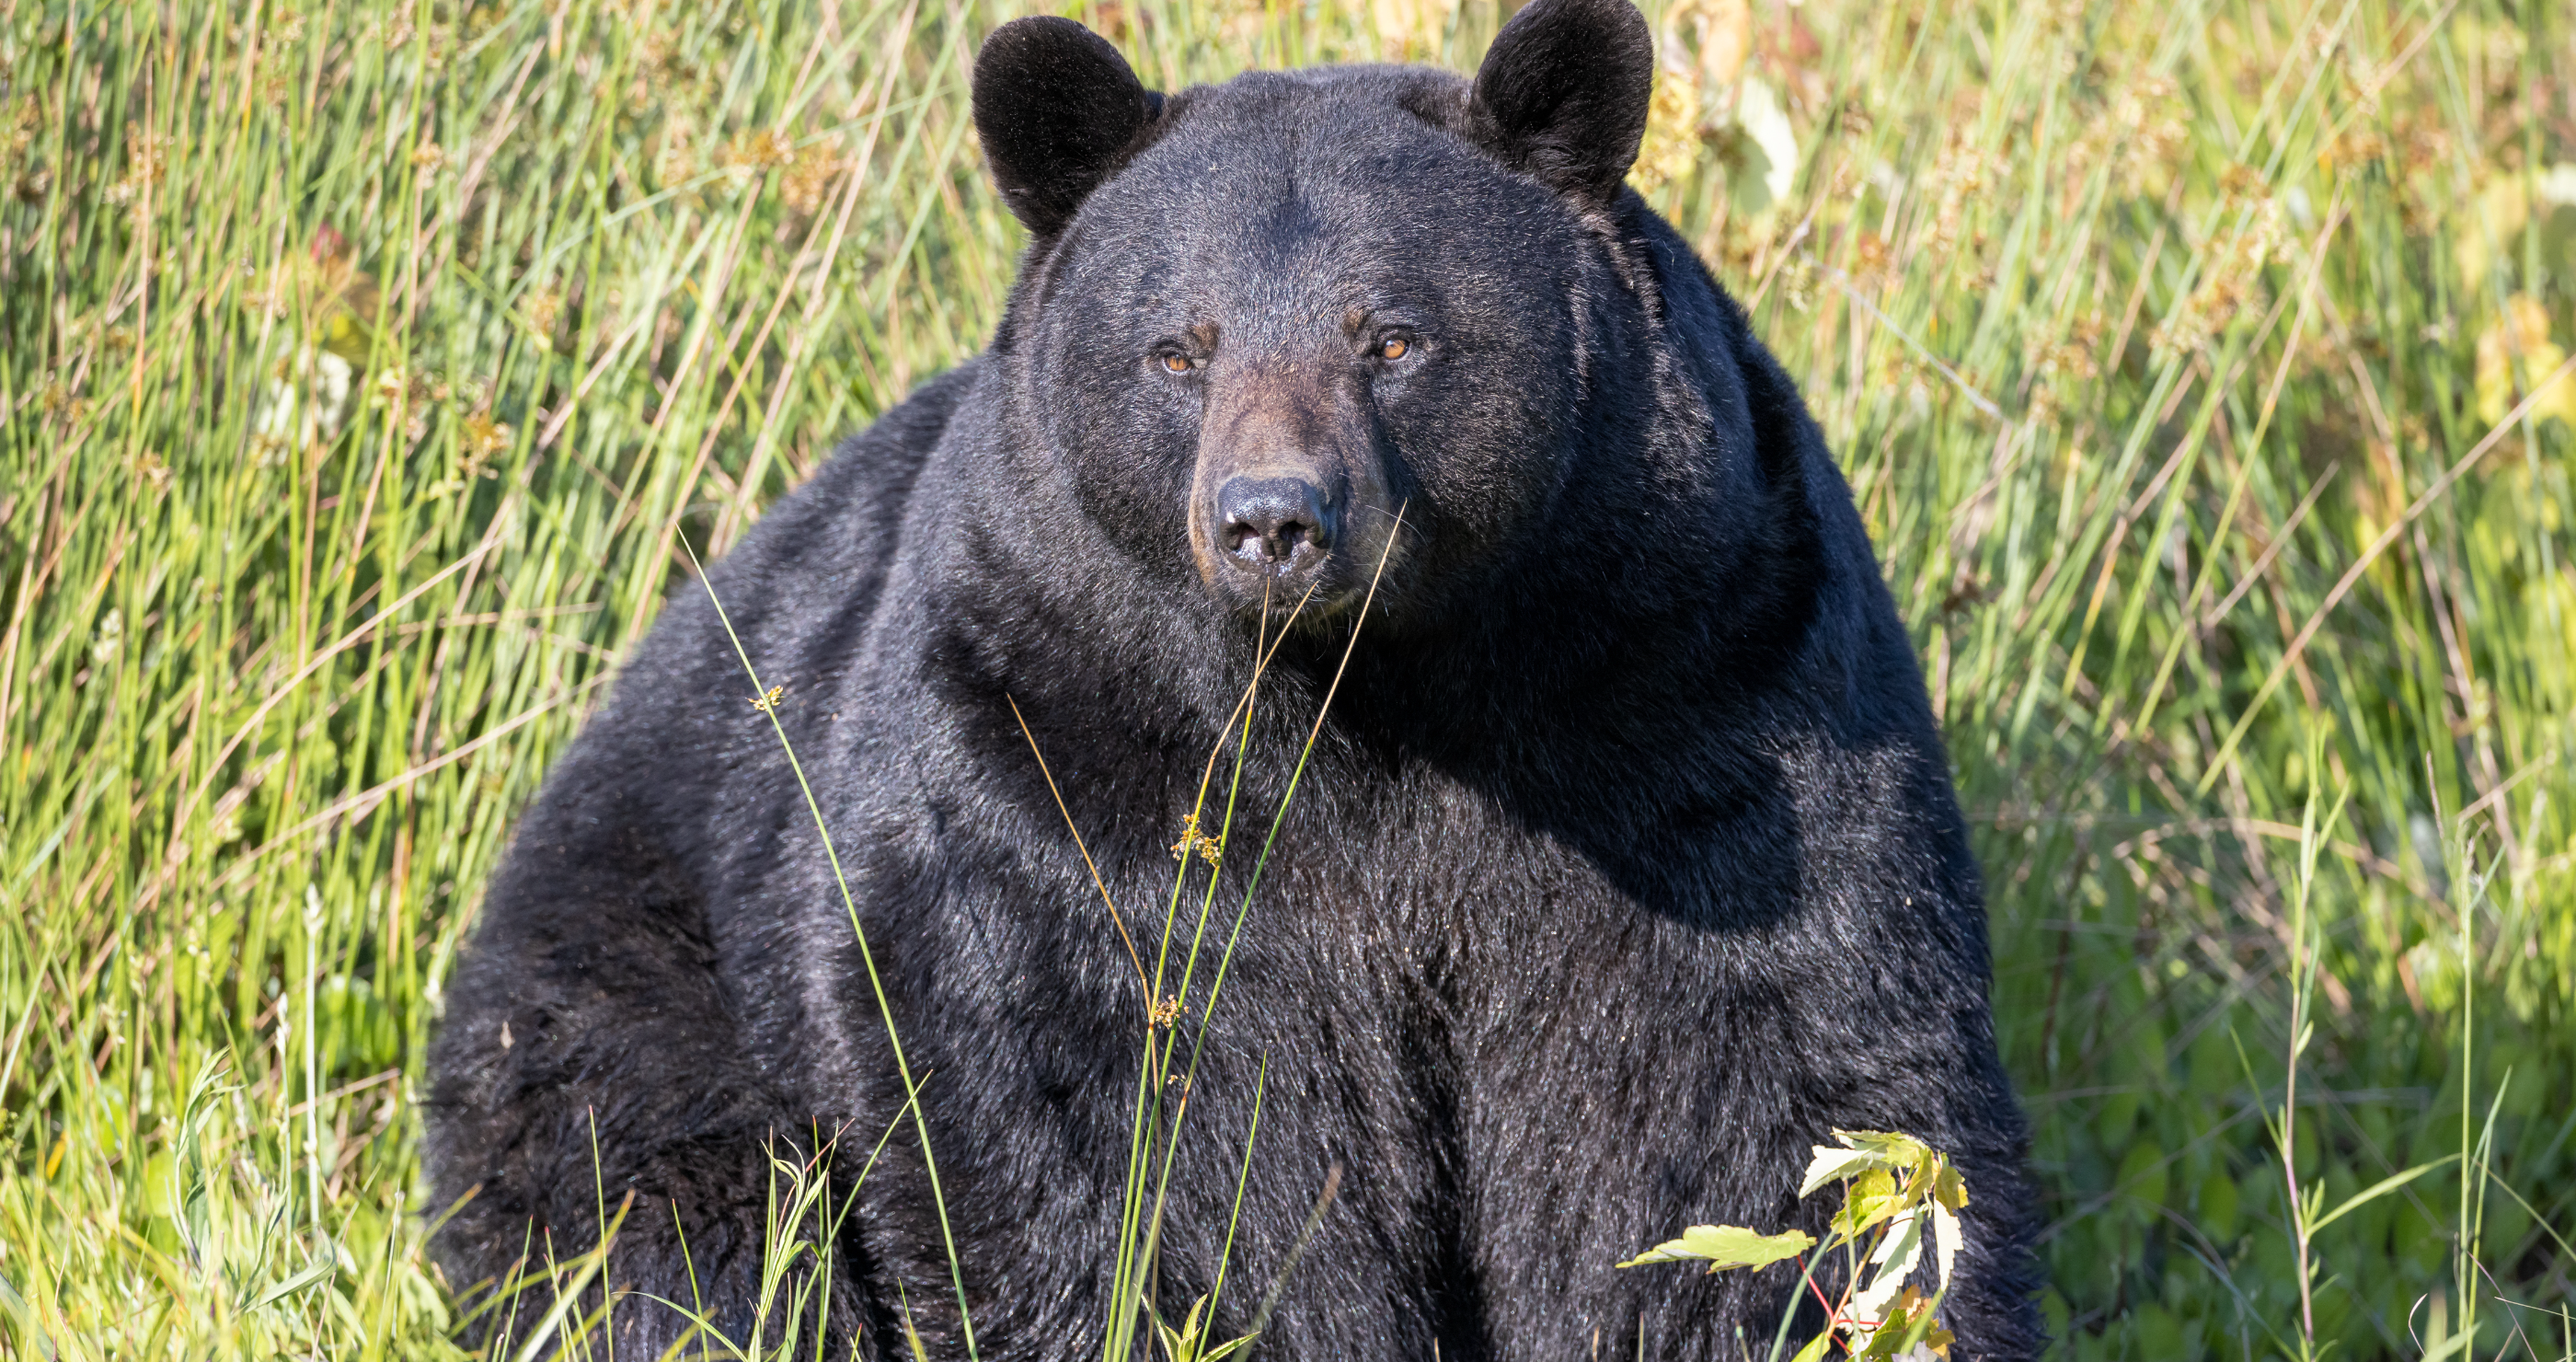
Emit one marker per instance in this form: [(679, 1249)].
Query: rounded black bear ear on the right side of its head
[(1562, 94)]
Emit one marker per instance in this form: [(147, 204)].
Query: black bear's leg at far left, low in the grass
[(591, 1062)]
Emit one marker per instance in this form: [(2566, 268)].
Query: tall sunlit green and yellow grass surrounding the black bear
[(367, 372)]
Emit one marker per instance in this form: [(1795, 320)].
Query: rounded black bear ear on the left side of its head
[(1055, 107)]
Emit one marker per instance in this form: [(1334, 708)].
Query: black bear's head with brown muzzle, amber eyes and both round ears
[(1274, 321)]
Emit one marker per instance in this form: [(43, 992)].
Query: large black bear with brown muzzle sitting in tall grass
[(1622, 872)]
